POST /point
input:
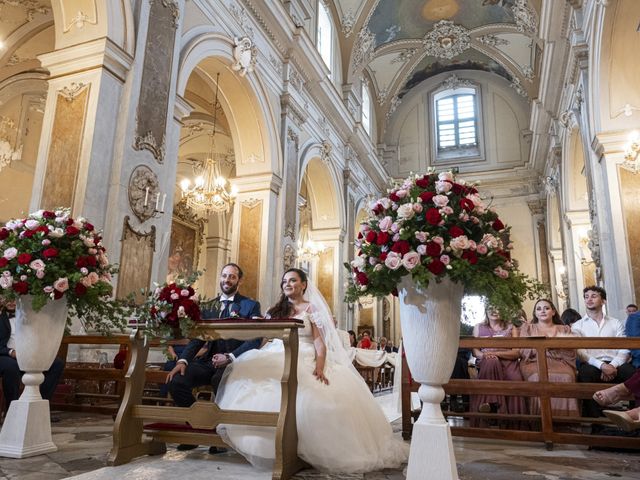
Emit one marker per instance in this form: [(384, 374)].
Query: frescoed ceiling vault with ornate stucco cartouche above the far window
[(400, 43)]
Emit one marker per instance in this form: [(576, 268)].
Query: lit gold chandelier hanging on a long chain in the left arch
[(209, 192)]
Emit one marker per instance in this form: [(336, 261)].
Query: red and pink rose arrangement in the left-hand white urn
[(51, 256)]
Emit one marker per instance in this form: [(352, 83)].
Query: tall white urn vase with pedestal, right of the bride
[(430, 320)]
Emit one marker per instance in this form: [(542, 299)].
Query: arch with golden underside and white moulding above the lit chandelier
[(244, 100)]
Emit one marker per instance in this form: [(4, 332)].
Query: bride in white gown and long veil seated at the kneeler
[(341, 428)]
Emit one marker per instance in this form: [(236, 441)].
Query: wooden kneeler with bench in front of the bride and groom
[(196, 425)]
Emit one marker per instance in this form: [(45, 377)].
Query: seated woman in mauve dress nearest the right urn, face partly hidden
[(496, 364)]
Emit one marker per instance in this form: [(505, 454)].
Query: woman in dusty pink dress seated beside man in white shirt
[(561, 363)]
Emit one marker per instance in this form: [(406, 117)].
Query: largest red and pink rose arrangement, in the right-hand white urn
[(432, 227)]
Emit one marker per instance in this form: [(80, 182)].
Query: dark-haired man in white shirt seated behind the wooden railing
[(600, 365)]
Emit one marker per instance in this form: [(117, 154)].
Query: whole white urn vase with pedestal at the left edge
[(27, 429)]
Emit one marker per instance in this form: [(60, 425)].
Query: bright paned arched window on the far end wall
[(456, 123)]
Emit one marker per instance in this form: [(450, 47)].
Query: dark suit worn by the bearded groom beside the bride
[(202, 371)]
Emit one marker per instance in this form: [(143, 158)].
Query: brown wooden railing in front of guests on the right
[(544, 389)]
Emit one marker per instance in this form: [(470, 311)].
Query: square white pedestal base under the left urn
[(27, 430)]
